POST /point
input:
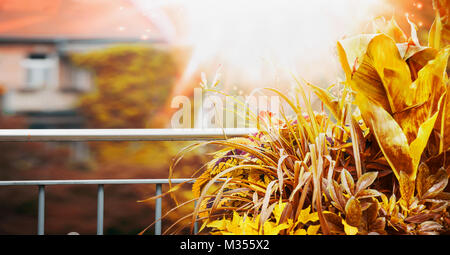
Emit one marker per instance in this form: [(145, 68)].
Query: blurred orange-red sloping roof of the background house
[(75, 19)]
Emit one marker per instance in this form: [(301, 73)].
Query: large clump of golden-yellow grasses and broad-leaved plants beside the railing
[(378, 163)]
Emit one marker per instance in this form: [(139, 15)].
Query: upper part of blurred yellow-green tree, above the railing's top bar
[(131, 83)]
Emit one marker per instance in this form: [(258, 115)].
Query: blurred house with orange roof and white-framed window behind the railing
[(36, 40)]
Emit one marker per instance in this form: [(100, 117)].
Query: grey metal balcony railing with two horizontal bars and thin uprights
[(21, 135)]
